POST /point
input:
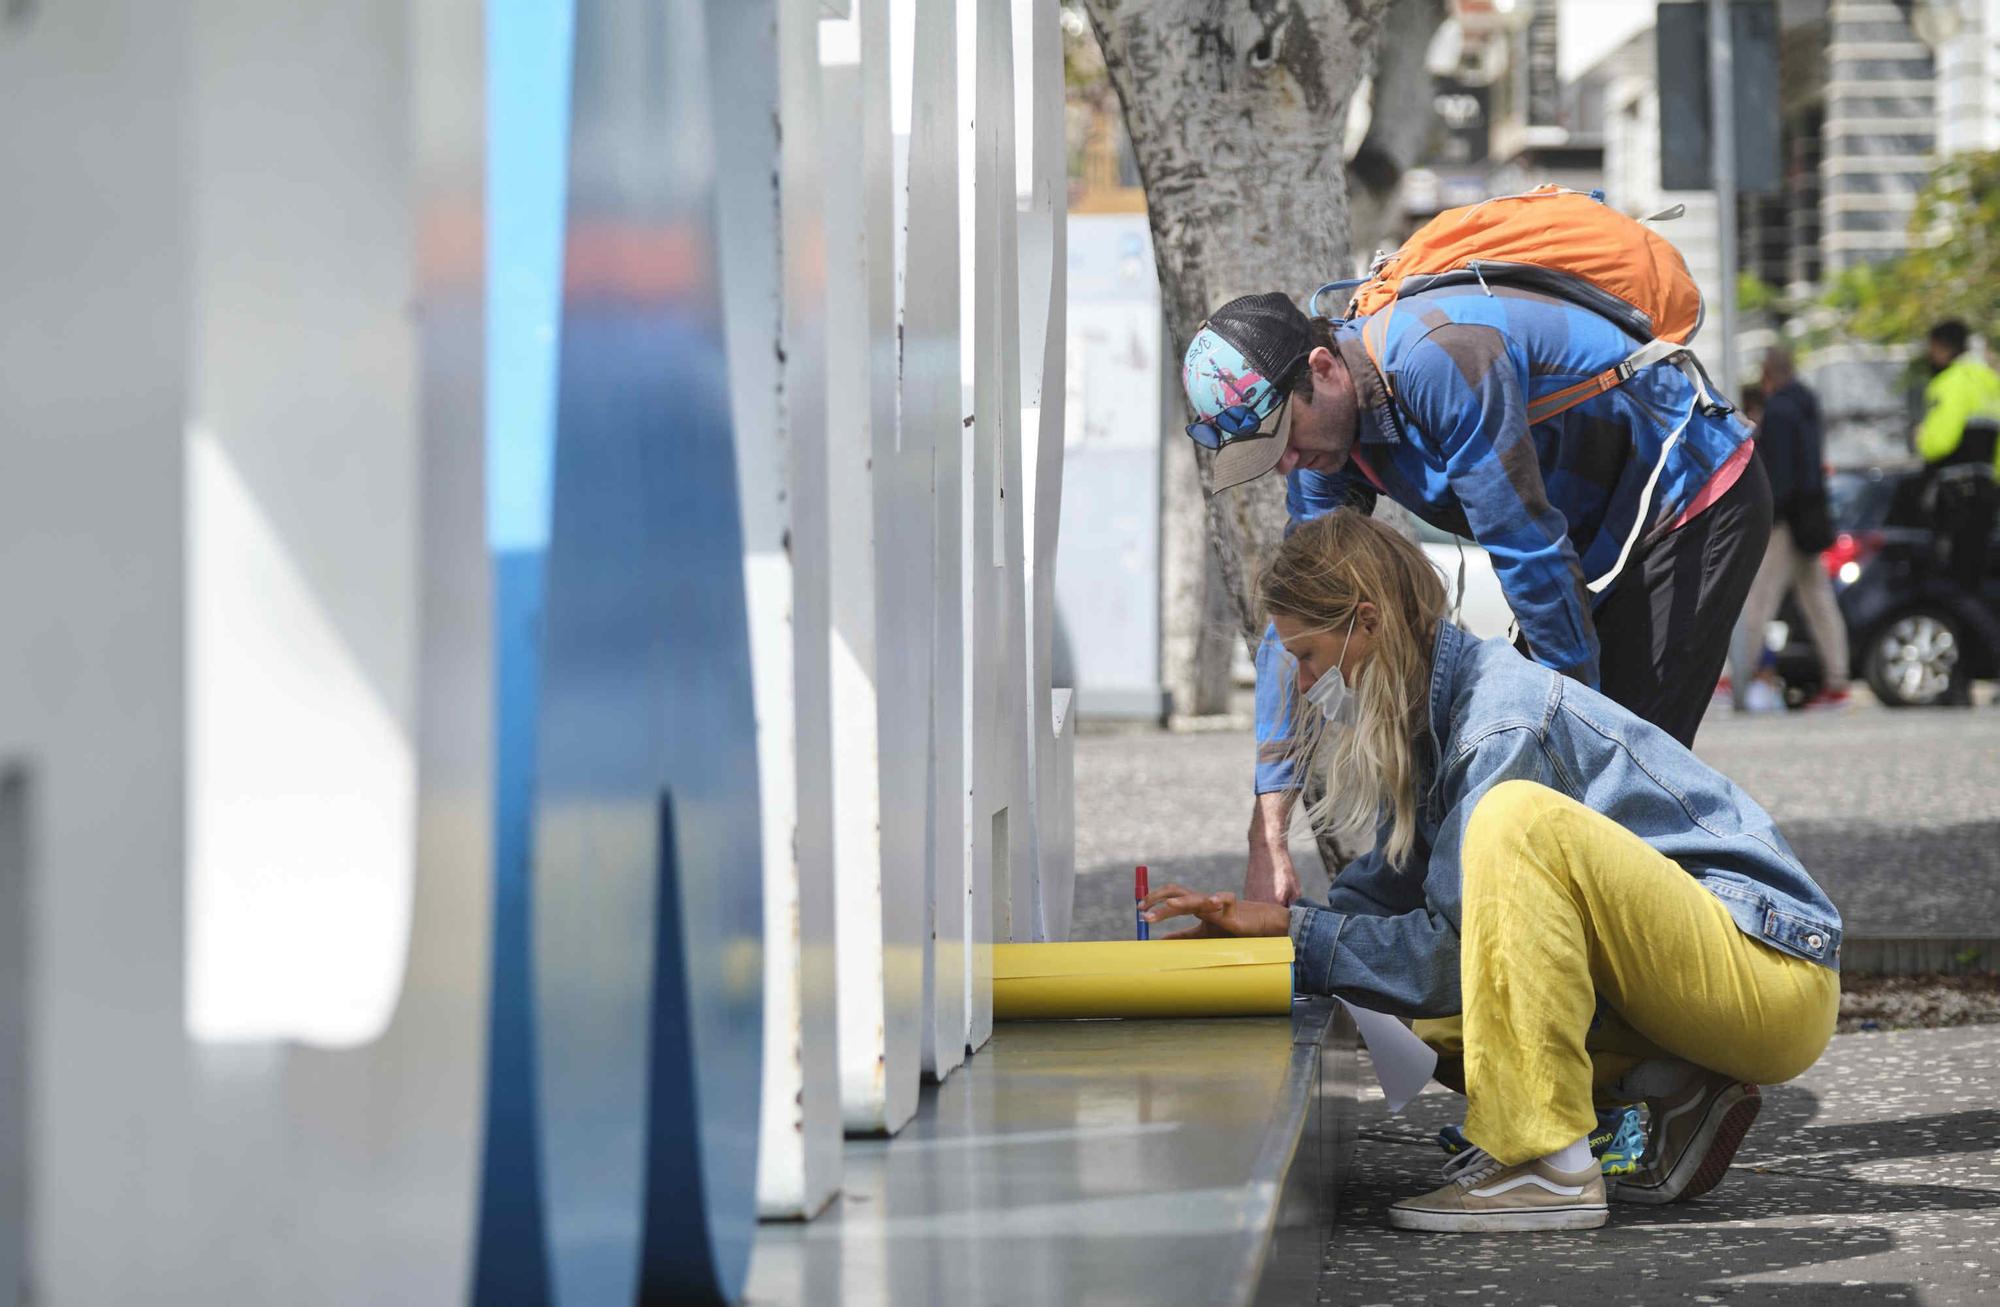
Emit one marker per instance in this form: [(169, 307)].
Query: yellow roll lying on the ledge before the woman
[(1131, 978)]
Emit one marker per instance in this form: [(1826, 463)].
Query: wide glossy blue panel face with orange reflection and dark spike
[(647, 842)]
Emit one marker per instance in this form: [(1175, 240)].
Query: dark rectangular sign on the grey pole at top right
[(1687, 151)]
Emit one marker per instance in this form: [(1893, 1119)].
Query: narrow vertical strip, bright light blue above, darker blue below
[(527, 161)]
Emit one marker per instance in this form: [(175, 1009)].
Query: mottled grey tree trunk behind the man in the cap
[(1237, 113)]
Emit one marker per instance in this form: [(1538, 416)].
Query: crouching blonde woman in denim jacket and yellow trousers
[(1579, 908)]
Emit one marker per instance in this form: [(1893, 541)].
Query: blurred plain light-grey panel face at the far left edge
[(93, 571)]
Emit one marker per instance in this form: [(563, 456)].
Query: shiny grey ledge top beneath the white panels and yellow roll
[(1105, 1162)]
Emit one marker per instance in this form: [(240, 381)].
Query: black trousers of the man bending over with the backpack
[(1665, 627)]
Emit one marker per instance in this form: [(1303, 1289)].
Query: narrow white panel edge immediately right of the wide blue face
[(799, 1140)]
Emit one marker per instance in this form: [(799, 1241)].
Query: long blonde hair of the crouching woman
[(1321, 579)]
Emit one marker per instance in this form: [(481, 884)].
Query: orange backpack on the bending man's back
[(1561, 243)]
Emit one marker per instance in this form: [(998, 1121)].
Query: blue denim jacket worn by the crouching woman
[(1387, 938)]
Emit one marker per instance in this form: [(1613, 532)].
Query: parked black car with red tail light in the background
[(1917, 631)]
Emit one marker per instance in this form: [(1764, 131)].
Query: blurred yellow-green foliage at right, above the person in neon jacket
[(1953, 269)]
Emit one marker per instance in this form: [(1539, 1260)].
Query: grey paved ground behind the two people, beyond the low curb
[(1895, 812)]
